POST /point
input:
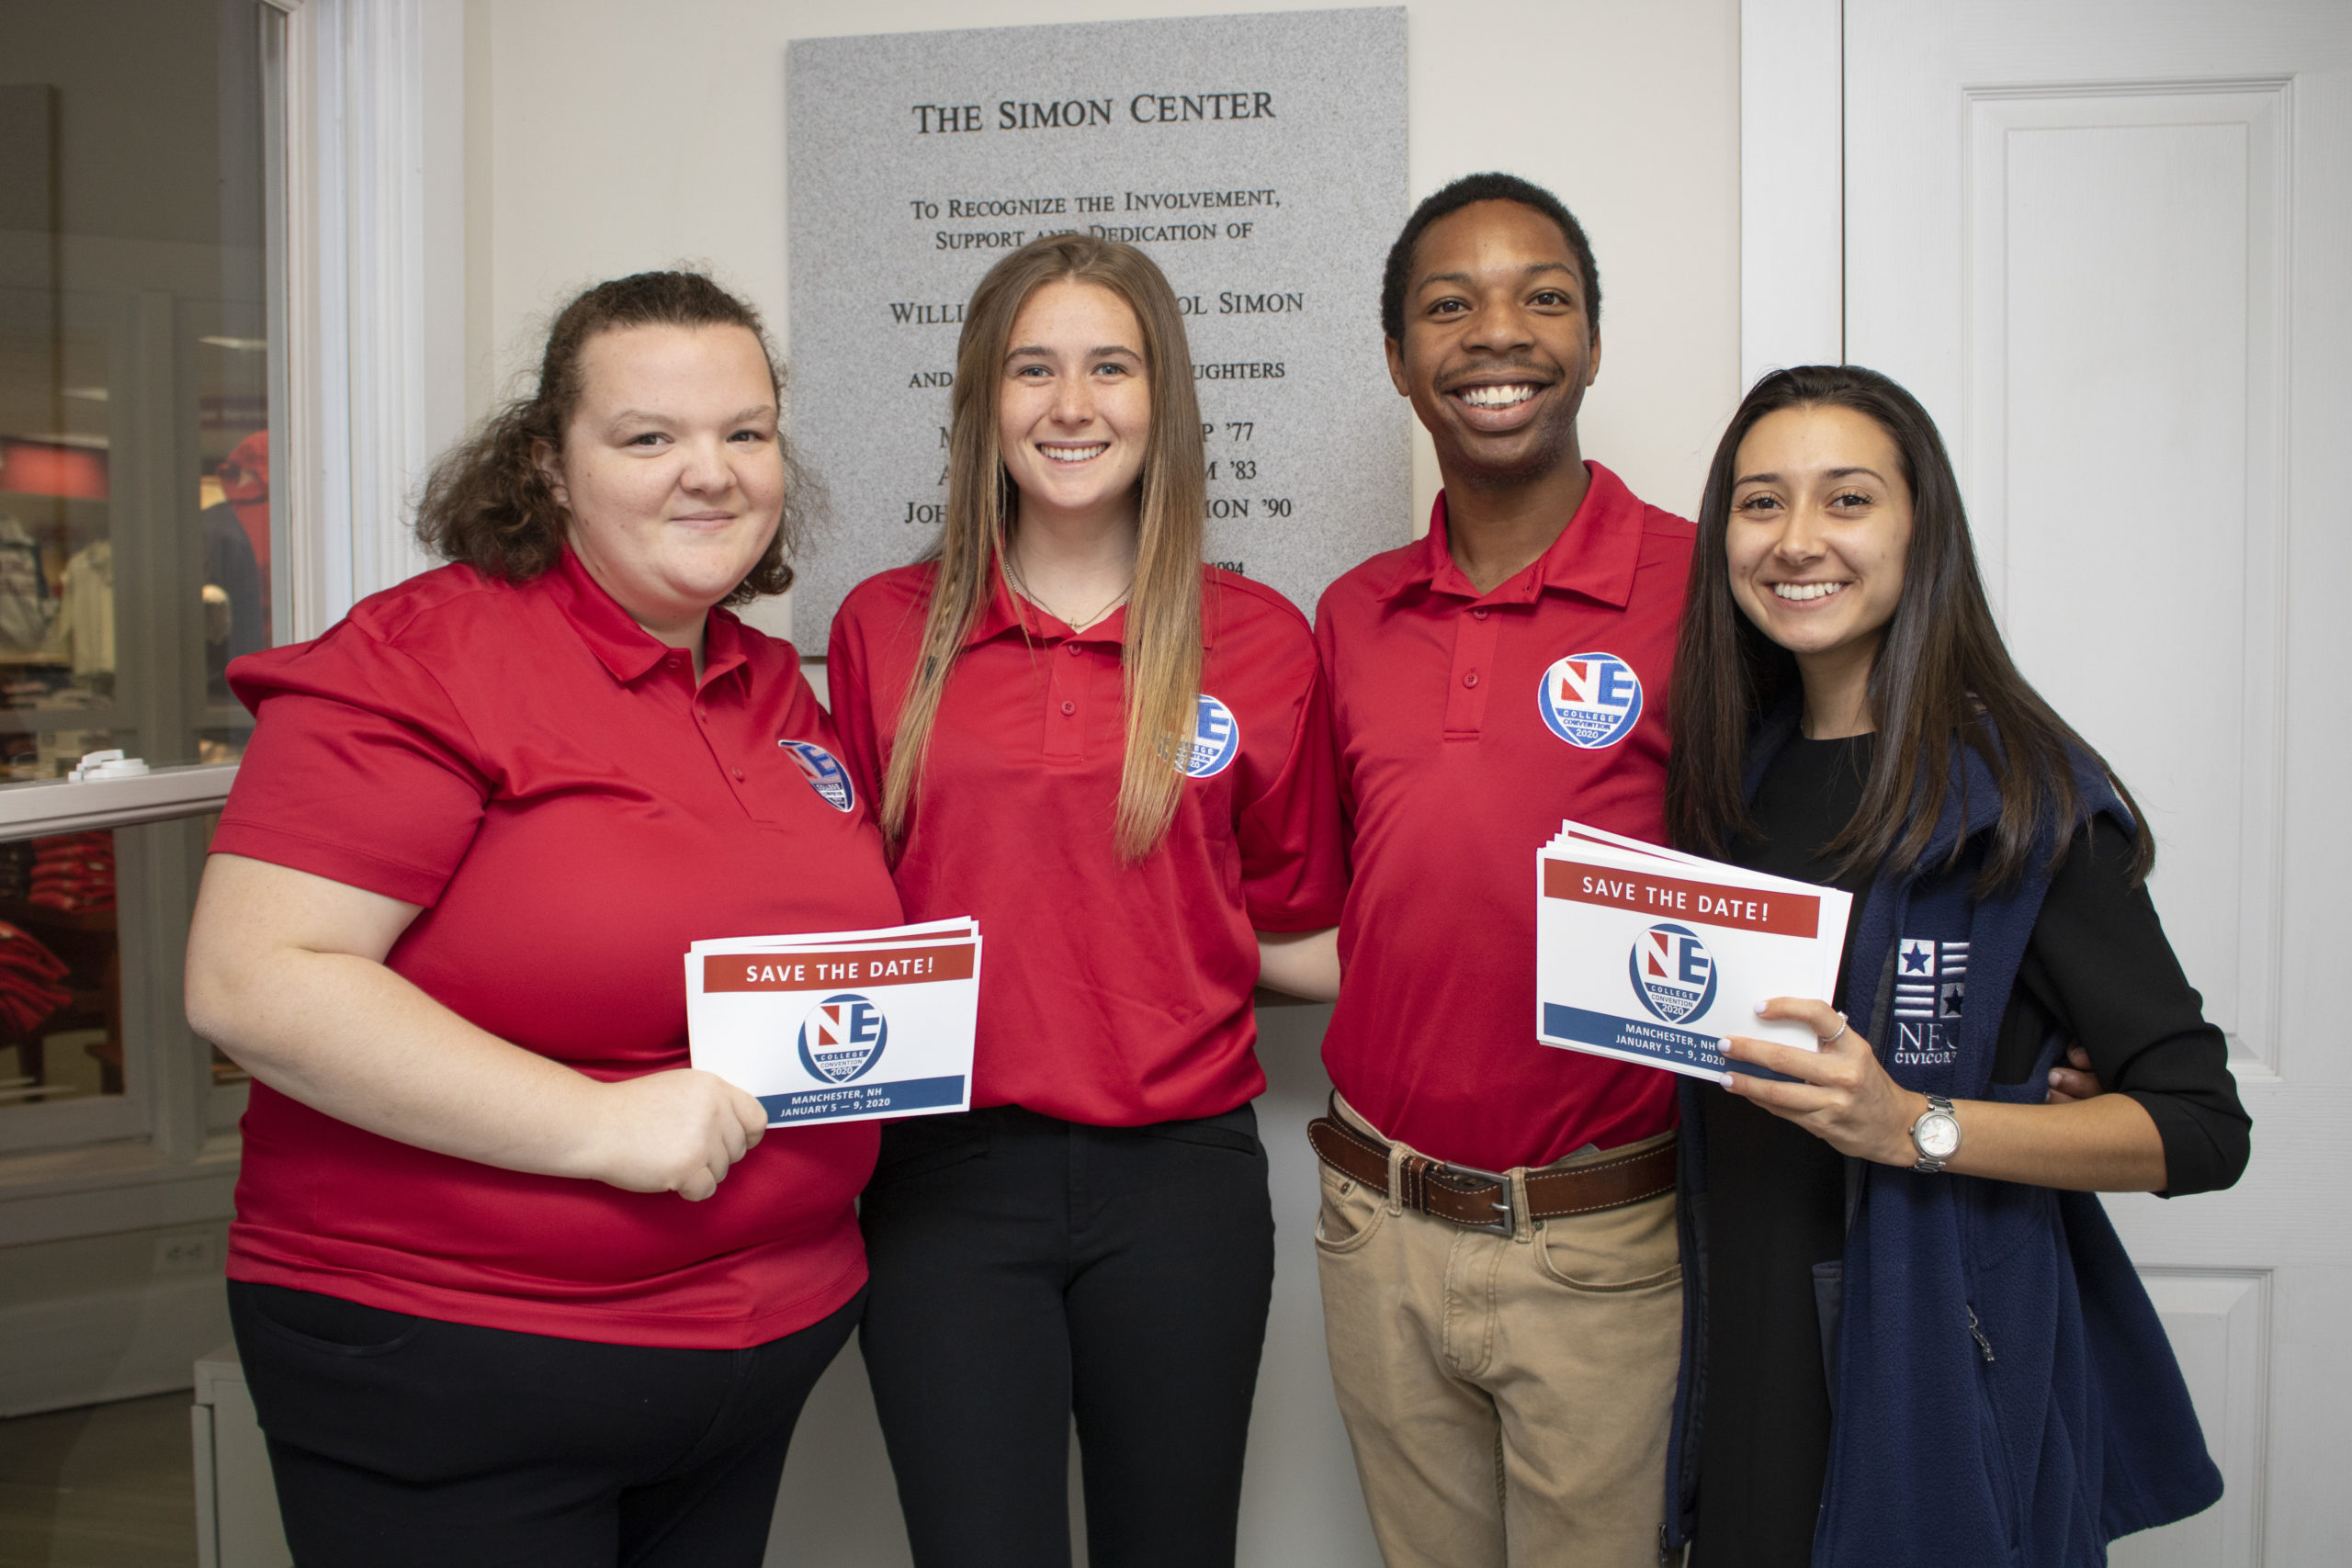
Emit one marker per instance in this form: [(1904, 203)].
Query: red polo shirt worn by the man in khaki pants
[(1469, 728)]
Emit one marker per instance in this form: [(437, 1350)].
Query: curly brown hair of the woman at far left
[(488, 502)]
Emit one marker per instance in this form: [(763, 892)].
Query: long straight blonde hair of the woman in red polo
[(1163, 610)]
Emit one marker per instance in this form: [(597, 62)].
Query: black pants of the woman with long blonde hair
[(1027, 1271)]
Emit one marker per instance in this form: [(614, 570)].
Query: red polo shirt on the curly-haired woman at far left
[(570, 808)]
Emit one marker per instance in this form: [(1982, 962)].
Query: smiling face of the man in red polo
[(1497, 344)]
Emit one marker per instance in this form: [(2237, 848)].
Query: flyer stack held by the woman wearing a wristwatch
[(1655, 958)]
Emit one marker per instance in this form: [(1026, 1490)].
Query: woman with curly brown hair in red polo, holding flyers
[(512, 1282)]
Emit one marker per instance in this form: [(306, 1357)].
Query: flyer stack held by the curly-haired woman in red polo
[(841, 1026)]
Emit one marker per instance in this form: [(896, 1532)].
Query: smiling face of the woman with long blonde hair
[(1076, 403)]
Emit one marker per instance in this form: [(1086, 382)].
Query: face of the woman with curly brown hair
[(671, 469)]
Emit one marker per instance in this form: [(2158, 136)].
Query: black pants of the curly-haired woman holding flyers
[(408, 1442)]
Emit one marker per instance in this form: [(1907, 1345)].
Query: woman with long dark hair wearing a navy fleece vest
[(1913, 1336)]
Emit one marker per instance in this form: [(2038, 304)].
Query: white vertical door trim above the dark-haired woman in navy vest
[(1793, 201)]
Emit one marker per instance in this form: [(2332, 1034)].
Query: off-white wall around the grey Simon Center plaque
[(624, 138)]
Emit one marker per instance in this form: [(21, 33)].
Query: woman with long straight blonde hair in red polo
[(1118, 763)]
